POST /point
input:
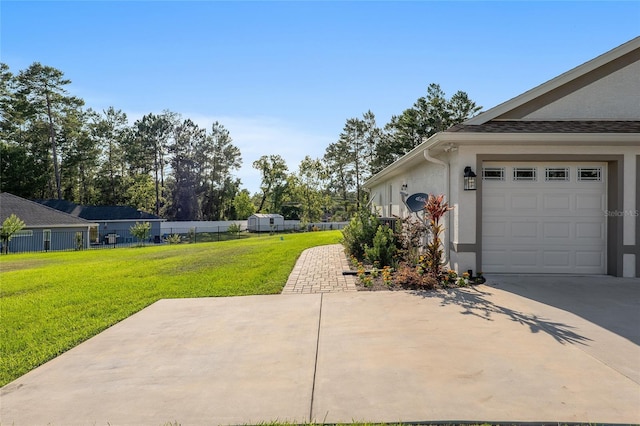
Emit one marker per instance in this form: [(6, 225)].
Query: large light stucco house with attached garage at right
[(558, 176)]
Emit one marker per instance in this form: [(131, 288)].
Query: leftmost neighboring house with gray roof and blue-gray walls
[(45, 228)]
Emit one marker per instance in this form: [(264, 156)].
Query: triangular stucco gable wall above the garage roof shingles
[(614, 97)]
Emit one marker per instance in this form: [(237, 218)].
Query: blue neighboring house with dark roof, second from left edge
[(115, 221)]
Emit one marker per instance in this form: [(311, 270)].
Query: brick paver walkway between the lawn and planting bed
[(319, 270)]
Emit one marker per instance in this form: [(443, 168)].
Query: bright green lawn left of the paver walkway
[(50, 302)]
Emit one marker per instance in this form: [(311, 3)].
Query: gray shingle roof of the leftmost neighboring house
[(36, 215)]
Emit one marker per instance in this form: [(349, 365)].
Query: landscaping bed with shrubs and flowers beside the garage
[(402, 253)]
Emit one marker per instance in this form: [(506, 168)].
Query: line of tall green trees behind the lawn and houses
[(51, 146)]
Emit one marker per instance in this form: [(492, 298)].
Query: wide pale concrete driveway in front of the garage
[(520, 349)]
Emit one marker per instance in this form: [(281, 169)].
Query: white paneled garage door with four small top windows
[(544, 218)]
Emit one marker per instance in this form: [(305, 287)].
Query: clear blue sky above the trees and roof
[(283, 77)]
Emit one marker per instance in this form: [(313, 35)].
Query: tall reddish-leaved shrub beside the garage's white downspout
[(435, 208)]
